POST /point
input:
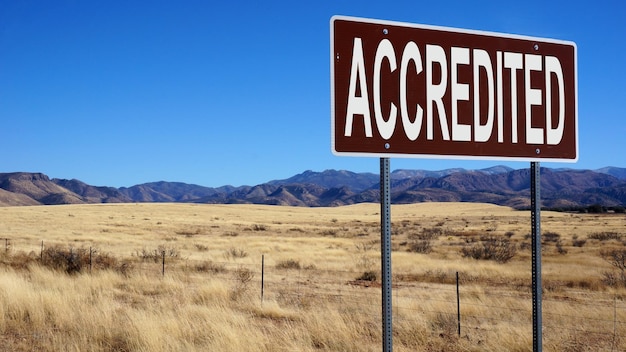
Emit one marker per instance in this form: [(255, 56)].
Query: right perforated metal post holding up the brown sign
[(535, 218)]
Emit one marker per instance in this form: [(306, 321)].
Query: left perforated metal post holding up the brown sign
[(385, 251)]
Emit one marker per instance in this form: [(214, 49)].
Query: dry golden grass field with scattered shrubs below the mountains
[(270, 278)]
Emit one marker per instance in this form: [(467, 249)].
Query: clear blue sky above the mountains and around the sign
[(117, 93)]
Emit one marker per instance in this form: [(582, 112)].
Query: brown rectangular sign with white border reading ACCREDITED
[(409, 90)]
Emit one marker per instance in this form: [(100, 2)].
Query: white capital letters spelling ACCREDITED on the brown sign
[(358, 105)]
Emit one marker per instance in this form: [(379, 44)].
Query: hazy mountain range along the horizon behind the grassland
[(560, 188)]
